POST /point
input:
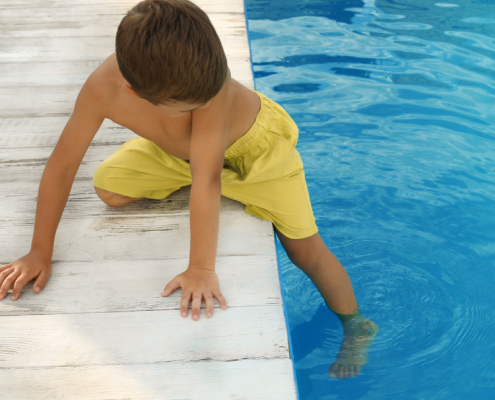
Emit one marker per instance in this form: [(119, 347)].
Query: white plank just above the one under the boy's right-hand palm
[(132, 238)]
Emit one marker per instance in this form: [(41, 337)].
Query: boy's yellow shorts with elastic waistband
[(262, 170)]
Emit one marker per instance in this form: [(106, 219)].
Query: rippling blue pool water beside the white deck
[(395, 102)]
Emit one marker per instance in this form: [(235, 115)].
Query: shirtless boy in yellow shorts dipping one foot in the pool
[(169, 82)]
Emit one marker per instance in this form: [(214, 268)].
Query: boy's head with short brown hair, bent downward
[(168, 50)]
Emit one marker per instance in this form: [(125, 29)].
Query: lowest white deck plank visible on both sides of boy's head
[(40, 73)]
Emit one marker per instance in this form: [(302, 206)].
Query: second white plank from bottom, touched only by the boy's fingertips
[(142, 337)]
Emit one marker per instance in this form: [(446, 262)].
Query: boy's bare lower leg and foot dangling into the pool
[(313, 257)]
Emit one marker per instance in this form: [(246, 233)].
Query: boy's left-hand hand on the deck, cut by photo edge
[(21, 271)]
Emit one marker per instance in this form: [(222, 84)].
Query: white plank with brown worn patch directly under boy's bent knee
[(19, 202)]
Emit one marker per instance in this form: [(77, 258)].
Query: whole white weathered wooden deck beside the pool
[(100, 329)]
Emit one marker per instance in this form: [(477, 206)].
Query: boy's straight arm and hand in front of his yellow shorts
[(208, 143)]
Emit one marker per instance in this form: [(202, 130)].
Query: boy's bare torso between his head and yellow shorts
[(172, 134)]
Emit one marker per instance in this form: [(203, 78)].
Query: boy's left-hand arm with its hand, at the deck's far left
[(54, 190)]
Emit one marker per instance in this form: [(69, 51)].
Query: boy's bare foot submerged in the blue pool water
[(359, 334)]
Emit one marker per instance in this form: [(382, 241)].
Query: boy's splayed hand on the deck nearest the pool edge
[(199, 283)]
